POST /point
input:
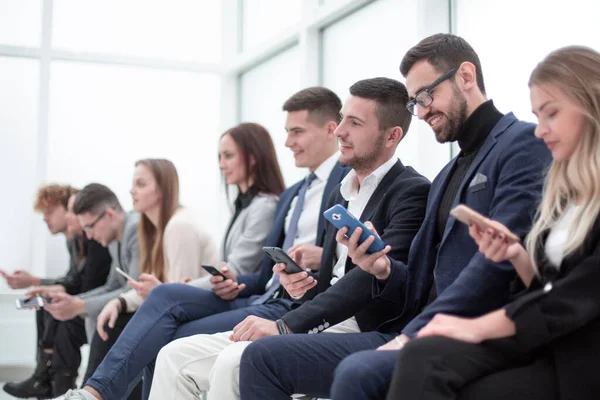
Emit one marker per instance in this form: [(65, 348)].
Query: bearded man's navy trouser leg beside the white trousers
[(276, 367)]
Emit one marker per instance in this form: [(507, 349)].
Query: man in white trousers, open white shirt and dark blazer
[(378, 187)]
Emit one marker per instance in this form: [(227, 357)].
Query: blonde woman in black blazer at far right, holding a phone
[(546, 343)]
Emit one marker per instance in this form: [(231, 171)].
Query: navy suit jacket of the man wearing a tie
[(256, 282)]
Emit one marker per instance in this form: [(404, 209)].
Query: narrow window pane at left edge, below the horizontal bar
[(18, 160)]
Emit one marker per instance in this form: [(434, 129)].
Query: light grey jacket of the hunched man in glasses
[(128, 260)]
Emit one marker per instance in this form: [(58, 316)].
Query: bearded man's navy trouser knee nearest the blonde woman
[(364, 375)]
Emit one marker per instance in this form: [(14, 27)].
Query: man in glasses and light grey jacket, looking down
[(102, 218)]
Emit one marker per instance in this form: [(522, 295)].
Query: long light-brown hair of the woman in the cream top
[(150, 237)]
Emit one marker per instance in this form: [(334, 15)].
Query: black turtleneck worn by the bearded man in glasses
[(472, 135)]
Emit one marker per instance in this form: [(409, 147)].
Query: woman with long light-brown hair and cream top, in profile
[(173, 245)]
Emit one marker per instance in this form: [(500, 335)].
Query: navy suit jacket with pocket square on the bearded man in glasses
[(504, 182)]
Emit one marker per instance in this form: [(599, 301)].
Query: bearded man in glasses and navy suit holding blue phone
[(498, 172)]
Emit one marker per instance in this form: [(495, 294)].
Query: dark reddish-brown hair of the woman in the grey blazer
[(255, 144)]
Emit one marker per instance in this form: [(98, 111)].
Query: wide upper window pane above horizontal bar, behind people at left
[(175, 29)]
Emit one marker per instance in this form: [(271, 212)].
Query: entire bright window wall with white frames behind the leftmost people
[(92, 87)]
